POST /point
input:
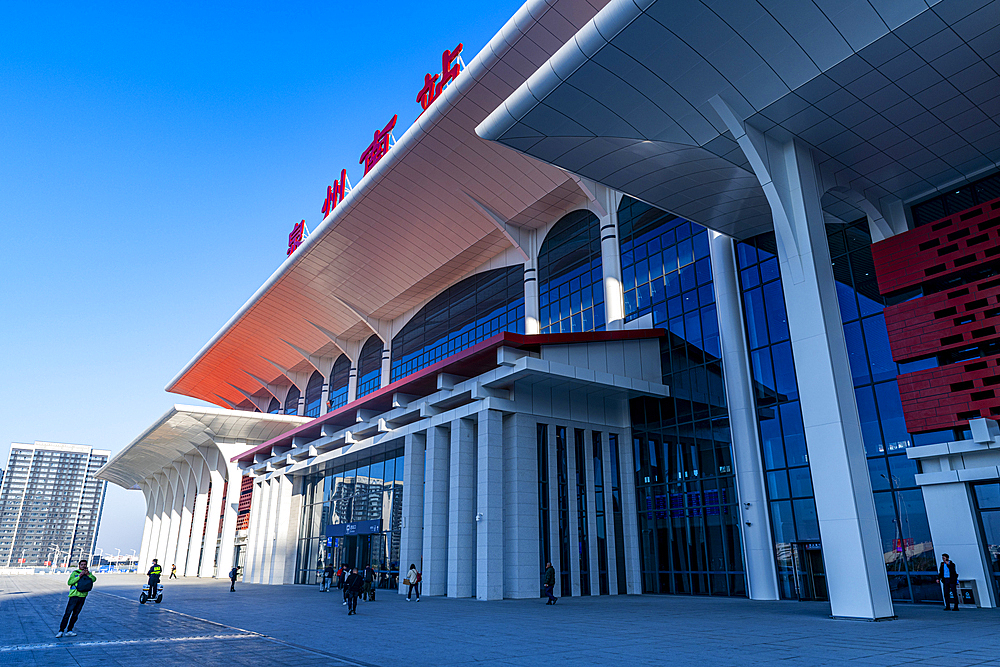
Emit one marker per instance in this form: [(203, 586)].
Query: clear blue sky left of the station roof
[(153, 159)]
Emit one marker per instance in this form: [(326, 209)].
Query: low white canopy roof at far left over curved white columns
[(181, 430)]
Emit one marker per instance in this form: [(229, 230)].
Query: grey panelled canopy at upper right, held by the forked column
[(897, 98)]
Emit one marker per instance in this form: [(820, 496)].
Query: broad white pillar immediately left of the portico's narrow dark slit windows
[(522, 548)]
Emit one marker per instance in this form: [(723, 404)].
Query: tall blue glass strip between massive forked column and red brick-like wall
[(899, 502)]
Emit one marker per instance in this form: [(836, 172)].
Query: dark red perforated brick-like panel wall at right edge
[(956, 262)]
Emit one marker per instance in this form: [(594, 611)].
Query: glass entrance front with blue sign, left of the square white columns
[(366, 489)]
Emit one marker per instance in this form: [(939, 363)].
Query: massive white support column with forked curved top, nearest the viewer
[(852, 551)]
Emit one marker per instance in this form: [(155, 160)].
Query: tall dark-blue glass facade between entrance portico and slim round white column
[(685, 480)]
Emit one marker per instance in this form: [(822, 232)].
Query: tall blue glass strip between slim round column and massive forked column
[(794, 526)]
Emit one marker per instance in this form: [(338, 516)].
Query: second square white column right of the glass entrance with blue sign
[(435, 572)]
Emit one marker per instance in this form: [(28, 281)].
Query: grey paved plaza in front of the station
[(201, 622)]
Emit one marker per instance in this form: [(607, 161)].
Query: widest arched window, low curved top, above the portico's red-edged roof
[(471, 311)]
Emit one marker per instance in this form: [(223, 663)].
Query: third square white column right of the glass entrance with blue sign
[(462, 511)]
